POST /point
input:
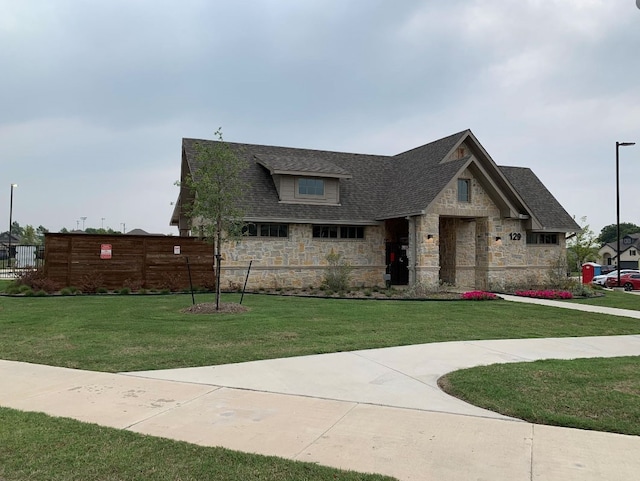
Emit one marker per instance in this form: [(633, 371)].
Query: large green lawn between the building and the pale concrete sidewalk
[(126, 333)]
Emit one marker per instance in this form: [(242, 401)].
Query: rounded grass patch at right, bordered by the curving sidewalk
[(601, 394)]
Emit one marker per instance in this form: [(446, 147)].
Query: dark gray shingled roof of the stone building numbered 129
[(379, 187)]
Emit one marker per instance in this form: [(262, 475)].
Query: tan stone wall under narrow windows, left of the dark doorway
[(300, 260)]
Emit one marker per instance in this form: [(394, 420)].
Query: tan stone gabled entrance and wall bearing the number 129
[(480, 261)]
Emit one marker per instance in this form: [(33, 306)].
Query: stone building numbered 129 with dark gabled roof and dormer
[(440, 213)]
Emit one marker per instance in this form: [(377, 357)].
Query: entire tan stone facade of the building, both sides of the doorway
[(469, 245)]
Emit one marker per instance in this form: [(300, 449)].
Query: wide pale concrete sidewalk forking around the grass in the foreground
[(374, 410)]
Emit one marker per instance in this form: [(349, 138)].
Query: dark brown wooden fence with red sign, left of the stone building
[(90, 261)]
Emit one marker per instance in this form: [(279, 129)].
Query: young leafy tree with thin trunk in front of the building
[(217, 186)]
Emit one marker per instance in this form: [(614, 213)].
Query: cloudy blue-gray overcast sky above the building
[(96, 96)]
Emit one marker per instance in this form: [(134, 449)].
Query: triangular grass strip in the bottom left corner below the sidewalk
[(37, 447)]
